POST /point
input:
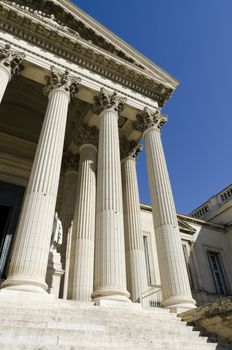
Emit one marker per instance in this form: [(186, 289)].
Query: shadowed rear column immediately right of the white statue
[(69, 193)]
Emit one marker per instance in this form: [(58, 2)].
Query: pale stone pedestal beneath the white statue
[(54, 273)]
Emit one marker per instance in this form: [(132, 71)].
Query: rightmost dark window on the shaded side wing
[(218, 272)]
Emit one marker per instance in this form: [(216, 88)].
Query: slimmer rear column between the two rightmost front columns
[(135, 257)]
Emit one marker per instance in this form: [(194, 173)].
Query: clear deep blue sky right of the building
[(191, 40)]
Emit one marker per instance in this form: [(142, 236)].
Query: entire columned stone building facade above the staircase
[(76, 101)]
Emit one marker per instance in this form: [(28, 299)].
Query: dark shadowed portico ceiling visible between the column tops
[(23, 109)]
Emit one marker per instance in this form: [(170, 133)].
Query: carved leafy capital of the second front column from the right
[(108, 100)]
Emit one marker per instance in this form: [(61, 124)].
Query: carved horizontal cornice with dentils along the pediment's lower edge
[(60, 41)]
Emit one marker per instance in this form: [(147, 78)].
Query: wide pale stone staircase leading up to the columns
[(47, 324)]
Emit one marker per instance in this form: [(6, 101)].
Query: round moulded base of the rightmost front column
[(179, 304)]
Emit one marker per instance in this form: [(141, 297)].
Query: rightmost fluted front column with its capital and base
[(173, 273)]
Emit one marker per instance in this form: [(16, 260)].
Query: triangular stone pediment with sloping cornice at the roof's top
[(107, 48)]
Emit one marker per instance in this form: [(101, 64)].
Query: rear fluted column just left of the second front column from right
[(83, 231)]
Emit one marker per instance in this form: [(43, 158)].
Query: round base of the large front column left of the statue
[(30, 286)]
